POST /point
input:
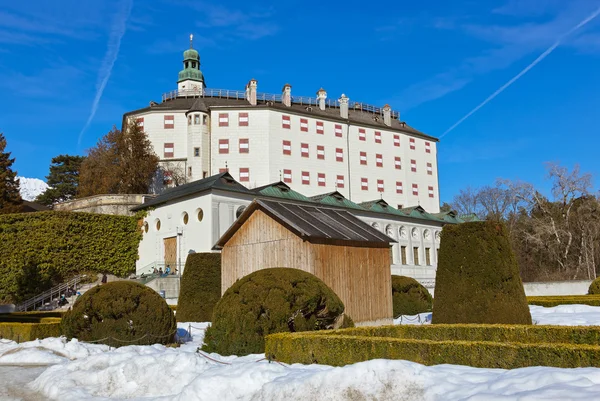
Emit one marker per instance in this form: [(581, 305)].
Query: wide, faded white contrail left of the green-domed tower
[(114, 44)]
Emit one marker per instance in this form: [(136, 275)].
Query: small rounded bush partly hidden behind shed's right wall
[(409, 297)]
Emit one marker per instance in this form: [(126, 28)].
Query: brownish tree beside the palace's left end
[(120, 163)]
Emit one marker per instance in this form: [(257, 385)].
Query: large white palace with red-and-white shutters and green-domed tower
[(313, 144)]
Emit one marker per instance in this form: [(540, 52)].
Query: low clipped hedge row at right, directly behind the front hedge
[(529, 334)]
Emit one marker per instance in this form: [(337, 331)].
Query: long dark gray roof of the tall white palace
[(360, 117)]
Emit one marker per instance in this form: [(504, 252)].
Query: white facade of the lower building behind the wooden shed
[(219, 210)]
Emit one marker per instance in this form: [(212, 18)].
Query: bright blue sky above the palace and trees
[(64, 63)]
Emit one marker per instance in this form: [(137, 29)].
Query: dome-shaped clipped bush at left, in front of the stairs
[(120, 313)]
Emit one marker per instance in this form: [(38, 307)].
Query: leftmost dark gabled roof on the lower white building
[(222, 181)]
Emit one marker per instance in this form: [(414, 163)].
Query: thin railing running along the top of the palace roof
[(270, 97)]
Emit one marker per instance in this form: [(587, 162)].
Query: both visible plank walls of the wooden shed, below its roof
[(360, 276)]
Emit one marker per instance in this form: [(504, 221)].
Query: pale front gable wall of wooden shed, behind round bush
[(259, 244)]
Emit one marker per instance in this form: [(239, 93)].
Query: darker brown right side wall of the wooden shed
[(360, 276)]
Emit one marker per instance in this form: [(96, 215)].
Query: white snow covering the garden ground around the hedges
[(80, 371)]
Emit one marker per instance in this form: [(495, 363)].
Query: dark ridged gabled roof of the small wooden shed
[(316, 224)]
